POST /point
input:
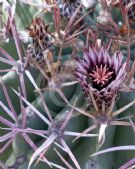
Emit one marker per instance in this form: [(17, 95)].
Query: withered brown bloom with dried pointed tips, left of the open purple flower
[(41, 41)]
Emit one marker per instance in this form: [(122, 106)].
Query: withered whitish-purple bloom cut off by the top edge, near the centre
[(68, 7)]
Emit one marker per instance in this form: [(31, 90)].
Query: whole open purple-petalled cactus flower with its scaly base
[(100, 74)]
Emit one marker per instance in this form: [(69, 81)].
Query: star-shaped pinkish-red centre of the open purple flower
[(101, 75)]
